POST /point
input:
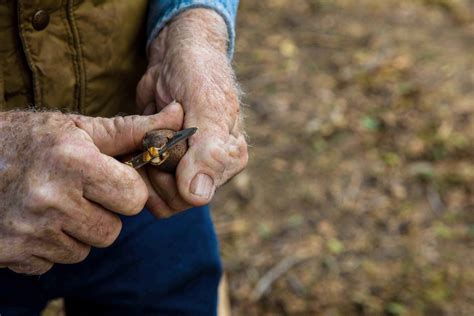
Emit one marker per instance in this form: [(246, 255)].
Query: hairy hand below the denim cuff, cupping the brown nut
[(188, 63)]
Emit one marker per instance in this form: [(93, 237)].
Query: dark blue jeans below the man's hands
[(156, 267)]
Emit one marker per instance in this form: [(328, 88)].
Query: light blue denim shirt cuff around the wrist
[(161, 12)]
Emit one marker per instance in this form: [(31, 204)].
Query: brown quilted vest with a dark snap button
[(81, 56)]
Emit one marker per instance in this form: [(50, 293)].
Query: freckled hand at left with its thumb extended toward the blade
[(59, 183)]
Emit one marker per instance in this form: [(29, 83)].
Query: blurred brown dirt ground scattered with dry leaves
[(358, 199)]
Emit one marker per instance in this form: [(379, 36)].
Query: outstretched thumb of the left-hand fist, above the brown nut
[(124, 134)]
